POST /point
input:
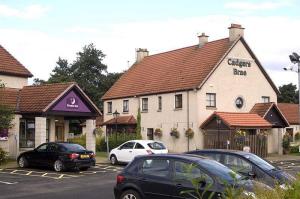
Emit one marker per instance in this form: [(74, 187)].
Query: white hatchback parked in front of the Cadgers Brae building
[(128, 150)]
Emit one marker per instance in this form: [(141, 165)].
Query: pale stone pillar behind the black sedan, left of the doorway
[(40, 131)]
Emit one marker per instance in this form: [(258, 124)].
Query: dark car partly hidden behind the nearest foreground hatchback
[(248, 164)]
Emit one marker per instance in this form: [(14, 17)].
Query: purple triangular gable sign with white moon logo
[(71, 103)]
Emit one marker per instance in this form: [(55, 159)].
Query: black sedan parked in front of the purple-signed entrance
[(60, 156)]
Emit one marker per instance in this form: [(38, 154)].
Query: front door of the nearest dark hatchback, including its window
[(184, 174)]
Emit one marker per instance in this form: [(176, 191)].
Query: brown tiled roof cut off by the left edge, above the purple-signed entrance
[(10, 65)]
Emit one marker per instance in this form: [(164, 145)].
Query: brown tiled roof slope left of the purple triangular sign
[(37, 98)]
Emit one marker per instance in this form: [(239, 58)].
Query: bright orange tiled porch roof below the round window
[(241, 120)]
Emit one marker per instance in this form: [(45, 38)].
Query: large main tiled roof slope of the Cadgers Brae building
[(176, 70)]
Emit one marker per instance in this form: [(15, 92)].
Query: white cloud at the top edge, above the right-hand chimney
[(254, 6)]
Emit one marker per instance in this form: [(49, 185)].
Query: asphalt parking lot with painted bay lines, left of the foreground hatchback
[(97, 182)]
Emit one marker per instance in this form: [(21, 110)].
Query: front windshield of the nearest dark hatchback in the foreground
[(223, 173)]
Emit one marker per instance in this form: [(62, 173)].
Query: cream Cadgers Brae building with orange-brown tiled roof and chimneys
[(213, 89)]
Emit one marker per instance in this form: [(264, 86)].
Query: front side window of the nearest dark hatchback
[(188, 172)]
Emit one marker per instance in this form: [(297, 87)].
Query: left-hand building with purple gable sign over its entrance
[(42, 113)]
